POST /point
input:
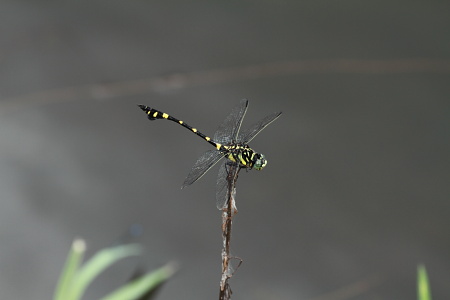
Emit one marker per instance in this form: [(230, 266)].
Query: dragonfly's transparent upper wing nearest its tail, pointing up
[(229, 129)]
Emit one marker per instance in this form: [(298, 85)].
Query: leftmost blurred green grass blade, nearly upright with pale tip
[(73, 261)]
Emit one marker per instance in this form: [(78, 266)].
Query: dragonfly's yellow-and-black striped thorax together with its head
[(245, 156)]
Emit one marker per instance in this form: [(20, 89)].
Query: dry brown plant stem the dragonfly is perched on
[(227, 219)]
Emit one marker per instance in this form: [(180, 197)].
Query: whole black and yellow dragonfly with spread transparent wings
[(229, 142)]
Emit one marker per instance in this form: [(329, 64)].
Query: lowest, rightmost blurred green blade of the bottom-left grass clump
[(143, 284)]
